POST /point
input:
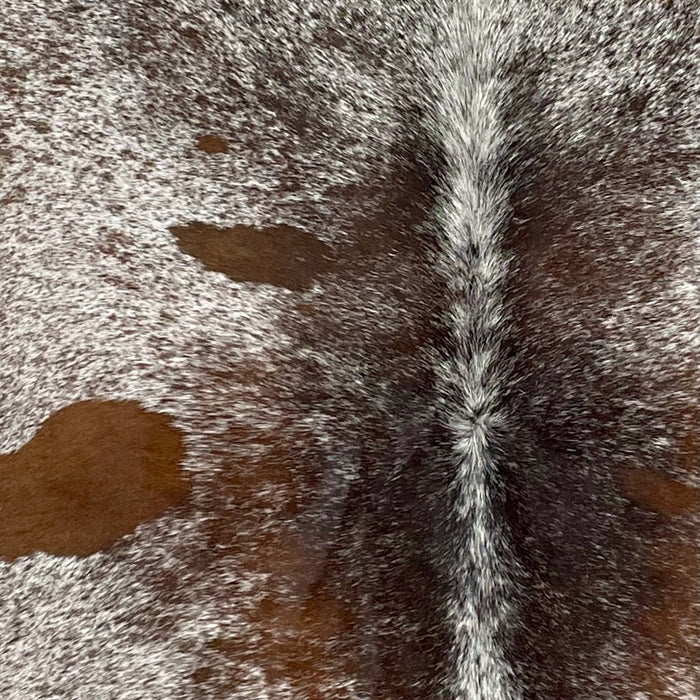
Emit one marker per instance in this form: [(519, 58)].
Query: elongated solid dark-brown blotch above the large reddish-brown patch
[(280, 255)]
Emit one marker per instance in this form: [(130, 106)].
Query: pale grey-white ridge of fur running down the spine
[(471, 212)]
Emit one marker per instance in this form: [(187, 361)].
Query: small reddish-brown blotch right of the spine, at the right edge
[(653, 490)]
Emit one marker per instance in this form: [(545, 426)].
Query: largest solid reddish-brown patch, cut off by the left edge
[(92, 473)]
